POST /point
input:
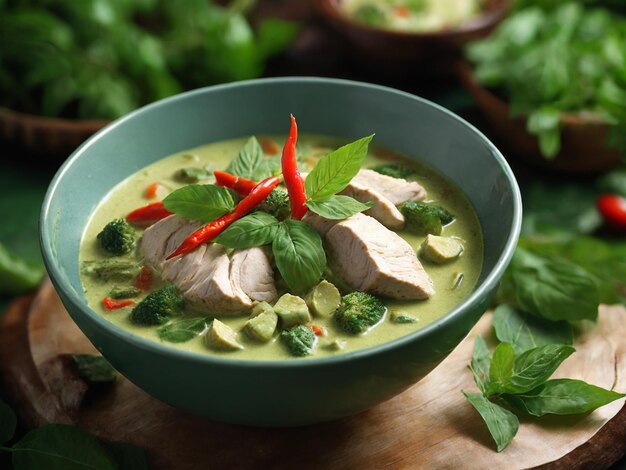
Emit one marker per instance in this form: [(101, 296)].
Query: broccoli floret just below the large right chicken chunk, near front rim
[(359, 311)]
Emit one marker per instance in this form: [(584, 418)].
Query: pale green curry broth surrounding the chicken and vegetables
[(128, 195)]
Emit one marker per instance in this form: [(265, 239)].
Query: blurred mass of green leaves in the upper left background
[(104, 58)]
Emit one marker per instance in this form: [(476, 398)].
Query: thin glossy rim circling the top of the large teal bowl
[(152, 346)]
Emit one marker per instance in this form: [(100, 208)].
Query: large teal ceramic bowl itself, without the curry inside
[(286, 392)]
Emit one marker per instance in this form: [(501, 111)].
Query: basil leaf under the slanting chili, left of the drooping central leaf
[(256, 229)]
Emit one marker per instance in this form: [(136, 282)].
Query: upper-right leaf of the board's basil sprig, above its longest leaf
[(535, 366)]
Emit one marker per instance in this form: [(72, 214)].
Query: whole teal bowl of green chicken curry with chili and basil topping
[(296, 312)]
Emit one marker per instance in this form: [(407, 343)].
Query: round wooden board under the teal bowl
[(428, 426)]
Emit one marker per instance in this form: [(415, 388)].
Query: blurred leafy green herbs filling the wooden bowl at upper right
[(553, 58)]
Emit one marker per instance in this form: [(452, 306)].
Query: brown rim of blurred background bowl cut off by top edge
[(481, 22)]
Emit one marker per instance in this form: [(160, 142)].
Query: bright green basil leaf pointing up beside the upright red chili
[(334, 171)]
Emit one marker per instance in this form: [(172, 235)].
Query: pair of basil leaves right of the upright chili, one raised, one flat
[(331, 175)]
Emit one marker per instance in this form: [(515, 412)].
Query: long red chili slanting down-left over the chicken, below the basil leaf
[(211, 230)]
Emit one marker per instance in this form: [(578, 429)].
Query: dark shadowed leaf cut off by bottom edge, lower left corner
[(61, 447)]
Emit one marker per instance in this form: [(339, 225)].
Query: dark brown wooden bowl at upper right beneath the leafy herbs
[(584, 138)]
